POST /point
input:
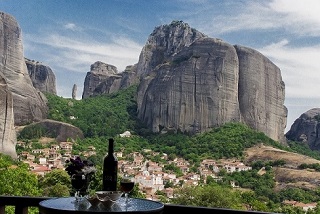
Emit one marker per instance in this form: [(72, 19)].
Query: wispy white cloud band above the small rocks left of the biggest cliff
[(73, 53)]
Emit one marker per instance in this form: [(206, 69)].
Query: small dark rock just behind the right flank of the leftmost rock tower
[(42, 77)]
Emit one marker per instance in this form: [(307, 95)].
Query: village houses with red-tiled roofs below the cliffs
[(150, 175)]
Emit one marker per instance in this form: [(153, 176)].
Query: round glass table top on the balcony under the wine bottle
[(68, 205)]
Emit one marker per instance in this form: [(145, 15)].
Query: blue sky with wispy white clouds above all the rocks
[(69, 36)]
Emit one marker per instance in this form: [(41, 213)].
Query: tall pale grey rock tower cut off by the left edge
[(21, 103)]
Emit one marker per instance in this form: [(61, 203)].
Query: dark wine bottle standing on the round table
[(110, 169)]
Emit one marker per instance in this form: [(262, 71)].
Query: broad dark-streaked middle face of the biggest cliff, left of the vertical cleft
[(196, 91)]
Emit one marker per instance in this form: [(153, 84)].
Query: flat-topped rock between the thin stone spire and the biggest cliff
[(104, 79)]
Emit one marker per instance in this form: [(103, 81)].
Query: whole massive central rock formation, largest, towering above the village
[(192, 83)]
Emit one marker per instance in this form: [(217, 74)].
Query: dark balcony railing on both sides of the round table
[(22, 203)]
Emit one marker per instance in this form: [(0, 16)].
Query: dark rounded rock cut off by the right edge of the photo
[(306, 129)]
